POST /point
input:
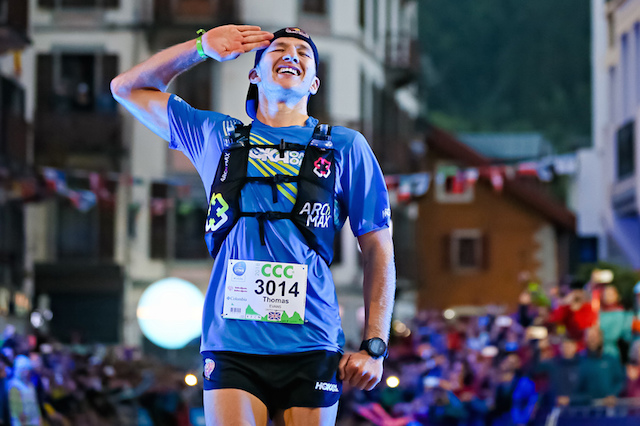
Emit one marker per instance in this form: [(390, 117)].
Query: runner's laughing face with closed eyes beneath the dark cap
[(288, 64)]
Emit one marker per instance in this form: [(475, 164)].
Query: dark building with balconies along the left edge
[(16, 173)]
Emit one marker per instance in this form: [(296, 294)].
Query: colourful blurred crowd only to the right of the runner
[(573, 345)]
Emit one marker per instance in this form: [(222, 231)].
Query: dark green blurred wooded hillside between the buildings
[(508, 66)]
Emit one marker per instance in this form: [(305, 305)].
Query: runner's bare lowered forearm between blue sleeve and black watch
[(379, 283)]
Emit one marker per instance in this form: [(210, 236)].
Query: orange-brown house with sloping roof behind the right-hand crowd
[(483, 235)]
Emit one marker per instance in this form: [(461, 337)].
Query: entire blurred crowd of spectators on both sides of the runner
[(574, 345)]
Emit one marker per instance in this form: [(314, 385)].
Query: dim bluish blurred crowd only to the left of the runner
[(43, 382)]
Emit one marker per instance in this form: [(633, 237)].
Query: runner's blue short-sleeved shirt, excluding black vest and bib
[(360, 194)]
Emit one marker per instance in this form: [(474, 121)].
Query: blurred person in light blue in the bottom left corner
[(23, 401)]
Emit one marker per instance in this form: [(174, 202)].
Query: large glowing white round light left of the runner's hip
[(170, 312)]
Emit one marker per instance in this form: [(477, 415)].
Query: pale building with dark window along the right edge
[(616, 103)]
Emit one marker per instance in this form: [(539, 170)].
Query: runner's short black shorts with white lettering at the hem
[(306, 379)]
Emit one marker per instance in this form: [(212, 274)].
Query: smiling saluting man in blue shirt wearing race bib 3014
[(278, 192)]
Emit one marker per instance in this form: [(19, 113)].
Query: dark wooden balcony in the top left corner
[(14, 18)]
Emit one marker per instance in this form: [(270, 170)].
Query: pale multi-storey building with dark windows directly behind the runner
[(146, 223)]
